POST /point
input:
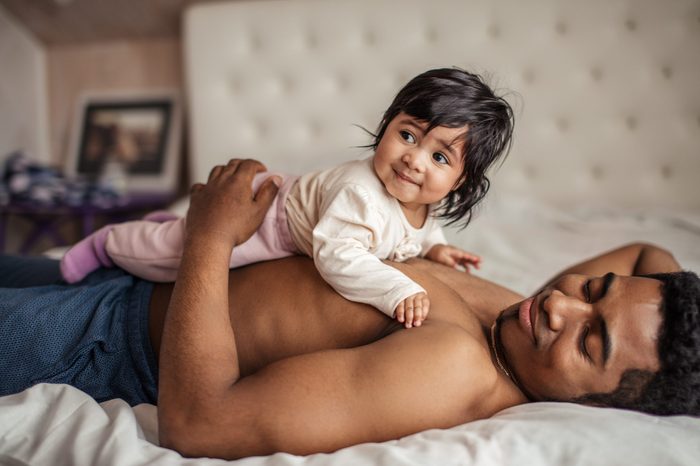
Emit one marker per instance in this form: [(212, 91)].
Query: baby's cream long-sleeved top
[(346, 220)]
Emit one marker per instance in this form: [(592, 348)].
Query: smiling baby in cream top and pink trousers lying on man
[(436, 140)]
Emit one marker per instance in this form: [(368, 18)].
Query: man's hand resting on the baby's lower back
[(226, 209)]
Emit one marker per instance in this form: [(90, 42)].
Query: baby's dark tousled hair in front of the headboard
[(454, 98)]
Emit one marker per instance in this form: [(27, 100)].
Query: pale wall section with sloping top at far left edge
[(23, 91)]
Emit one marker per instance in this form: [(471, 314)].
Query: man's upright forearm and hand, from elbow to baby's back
[(198, 358)]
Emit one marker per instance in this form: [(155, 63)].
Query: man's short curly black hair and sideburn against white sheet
[(675, 387)]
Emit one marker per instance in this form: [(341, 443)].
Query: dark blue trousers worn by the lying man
[(92, 335)]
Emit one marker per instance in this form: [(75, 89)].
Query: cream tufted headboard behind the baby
[(606, 92)]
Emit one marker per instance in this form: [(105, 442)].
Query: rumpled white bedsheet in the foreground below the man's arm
[(59, 425)]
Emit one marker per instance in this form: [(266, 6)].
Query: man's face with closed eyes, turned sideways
[(580, 334)]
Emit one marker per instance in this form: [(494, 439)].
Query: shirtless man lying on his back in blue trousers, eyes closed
[(268, 358)]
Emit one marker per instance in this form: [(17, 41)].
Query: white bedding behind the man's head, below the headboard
[(524, 244)]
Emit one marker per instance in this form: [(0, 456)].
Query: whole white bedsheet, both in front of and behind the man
[(522, 245)]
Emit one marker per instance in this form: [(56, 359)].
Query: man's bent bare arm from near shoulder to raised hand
[(404, 383)]
